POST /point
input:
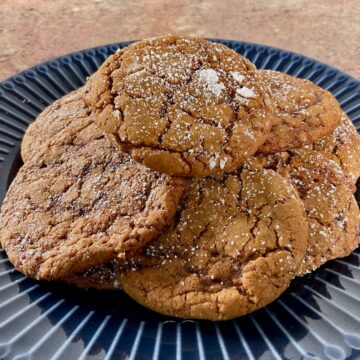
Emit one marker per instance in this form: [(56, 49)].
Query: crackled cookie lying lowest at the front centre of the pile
[(234, 247)]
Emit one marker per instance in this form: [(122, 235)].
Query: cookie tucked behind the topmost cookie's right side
[(304, 112)]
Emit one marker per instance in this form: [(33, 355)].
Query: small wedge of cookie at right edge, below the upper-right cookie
[(342, 146)]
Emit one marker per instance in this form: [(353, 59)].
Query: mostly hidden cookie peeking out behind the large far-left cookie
[(53, 120)]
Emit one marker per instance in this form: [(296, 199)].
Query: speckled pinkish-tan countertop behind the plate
[(32, 31)]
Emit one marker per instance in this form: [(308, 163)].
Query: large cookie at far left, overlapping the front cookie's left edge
[(79, 203)]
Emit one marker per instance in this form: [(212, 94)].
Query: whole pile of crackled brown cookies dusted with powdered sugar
[(189, 179)]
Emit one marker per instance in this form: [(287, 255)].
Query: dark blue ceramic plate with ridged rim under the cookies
[(318, 317)]
